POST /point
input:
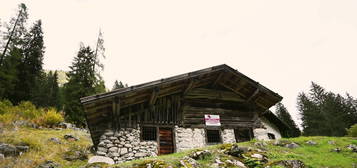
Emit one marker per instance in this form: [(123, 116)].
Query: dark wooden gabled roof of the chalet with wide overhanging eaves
[(223, 75)]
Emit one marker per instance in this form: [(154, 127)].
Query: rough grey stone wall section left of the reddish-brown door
[(125, 145)]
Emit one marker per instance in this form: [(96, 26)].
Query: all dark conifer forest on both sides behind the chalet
[(23, 80)]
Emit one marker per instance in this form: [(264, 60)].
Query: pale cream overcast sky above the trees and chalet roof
[(282, 44)]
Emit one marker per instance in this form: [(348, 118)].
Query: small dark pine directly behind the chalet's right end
[(283, 114)]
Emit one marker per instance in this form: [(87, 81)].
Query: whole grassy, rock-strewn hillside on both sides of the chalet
[(327, 152)]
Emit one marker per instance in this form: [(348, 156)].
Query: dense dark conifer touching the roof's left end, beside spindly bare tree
[(83, 81)]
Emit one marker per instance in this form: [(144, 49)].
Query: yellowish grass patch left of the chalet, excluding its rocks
[(41, 149)]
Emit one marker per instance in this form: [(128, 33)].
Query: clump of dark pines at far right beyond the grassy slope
[(325, 113)]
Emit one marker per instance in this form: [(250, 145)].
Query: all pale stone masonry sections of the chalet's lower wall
[(126, 144)]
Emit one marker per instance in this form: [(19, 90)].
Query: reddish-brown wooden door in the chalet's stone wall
[(166, 145)]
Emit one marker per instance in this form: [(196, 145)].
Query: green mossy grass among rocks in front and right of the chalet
[(319, 155)]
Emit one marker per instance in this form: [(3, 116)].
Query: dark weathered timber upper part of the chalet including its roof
[(182, 101)]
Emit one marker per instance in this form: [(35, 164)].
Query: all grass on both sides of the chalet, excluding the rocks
[(41, 150)]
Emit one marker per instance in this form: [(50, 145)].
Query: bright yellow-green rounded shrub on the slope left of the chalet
[(51, 118)]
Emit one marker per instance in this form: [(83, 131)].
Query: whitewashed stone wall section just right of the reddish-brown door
[(188, 138)]
